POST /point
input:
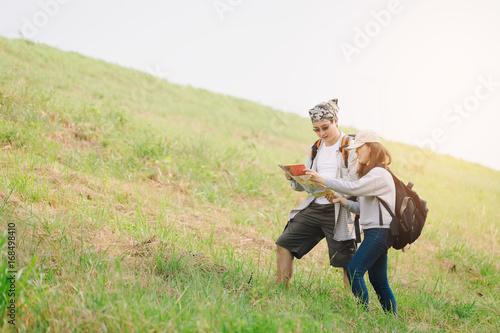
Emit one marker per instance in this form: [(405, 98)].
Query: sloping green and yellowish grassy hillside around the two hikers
[(142, 206)]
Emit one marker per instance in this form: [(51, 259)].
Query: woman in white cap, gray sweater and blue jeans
[(374, 182)]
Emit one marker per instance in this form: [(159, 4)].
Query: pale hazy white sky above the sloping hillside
[(422, 72)]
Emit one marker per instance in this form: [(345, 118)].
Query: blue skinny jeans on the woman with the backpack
[(372, 257)]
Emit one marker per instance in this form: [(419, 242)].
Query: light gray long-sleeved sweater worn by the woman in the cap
[(377, 182)]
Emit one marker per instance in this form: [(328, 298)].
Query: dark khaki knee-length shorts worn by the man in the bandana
[(310, 226)]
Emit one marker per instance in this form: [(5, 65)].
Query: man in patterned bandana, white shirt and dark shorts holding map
[(317, 218)]
